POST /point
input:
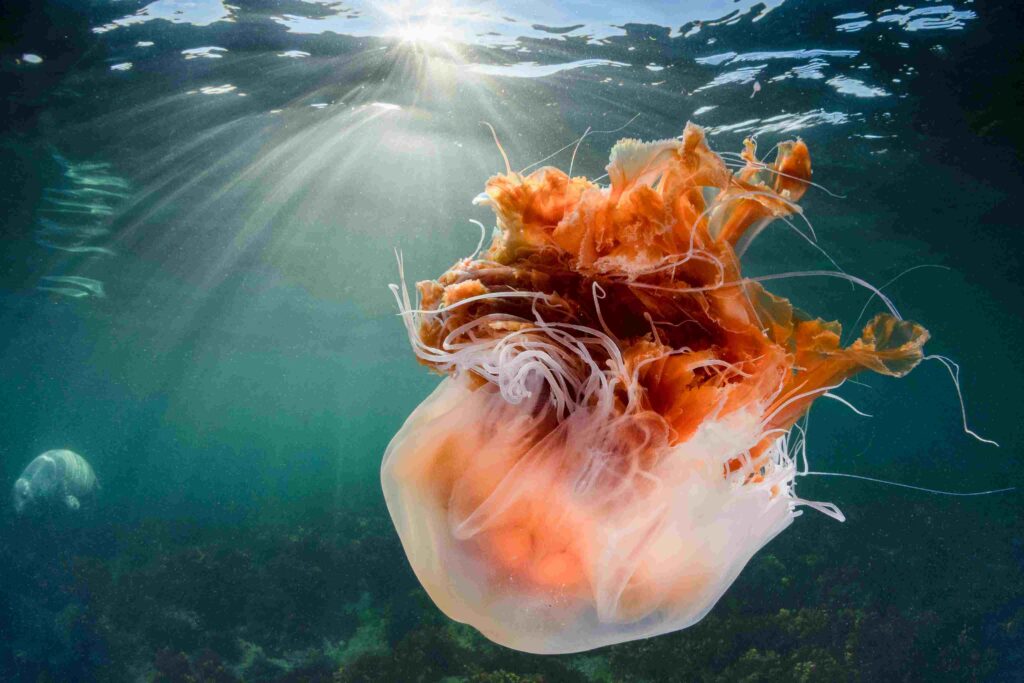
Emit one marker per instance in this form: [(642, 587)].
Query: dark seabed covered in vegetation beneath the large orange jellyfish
[(332, 601)]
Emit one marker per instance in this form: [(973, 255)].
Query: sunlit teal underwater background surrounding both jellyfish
[(201, 210)]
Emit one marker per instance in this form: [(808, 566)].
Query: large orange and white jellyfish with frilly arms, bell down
[(612, 443)]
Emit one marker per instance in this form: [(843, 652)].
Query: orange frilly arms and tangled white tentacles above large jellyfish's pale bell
[(634, 292)]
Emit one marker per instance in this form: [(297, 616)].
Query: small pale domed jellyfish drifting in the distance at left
[(56, 478)]
